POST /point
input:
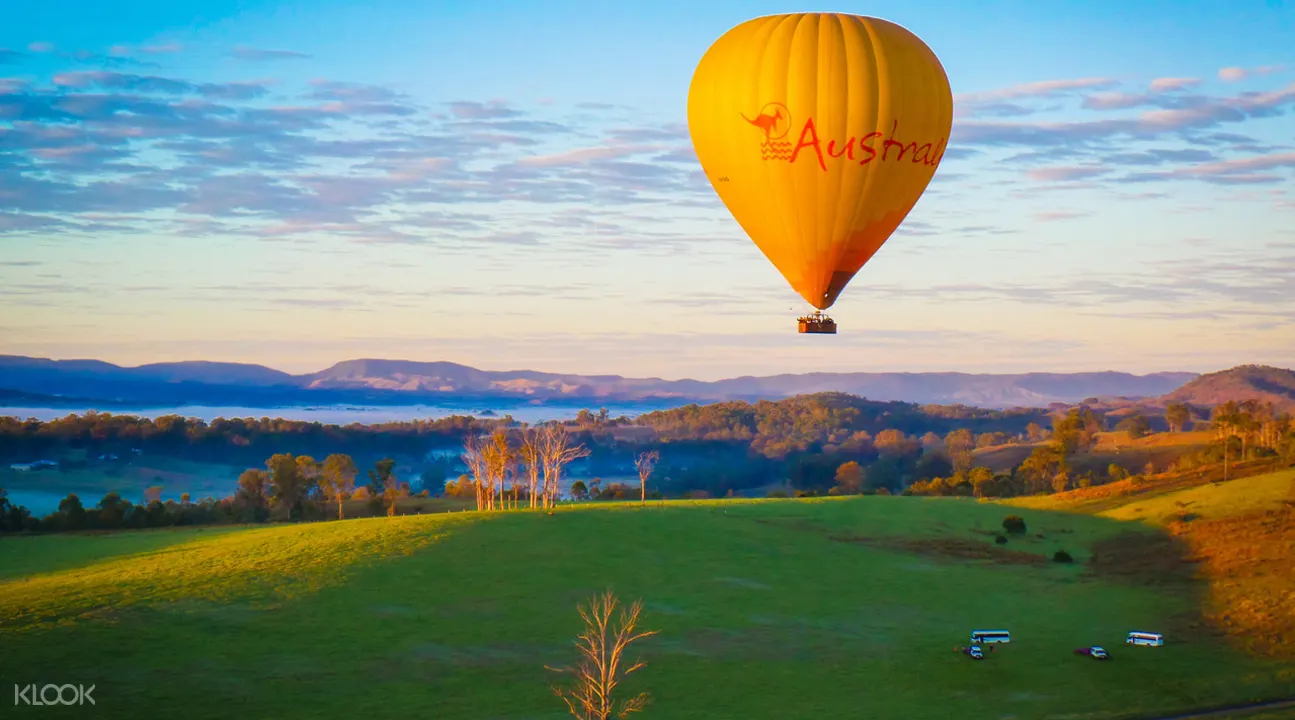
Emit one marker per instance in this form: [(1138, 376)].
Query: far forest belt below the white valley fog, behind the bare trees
[(774, 429)]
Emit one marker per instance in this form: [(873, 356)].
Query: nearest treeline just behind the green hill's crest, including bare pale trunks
[(516, 467)]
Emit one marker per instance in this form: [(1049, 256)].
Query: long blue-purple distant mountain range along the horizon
[(43, 383)]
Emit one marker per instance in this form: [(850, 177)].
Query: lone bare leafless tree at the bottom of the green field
[(599, 673)]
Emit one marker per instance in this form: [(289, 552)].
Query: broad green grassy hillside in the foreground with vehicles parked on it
[(780, 609)]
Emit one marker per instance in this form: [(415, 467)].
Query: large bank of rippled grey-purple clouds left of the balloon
[(225, 159)]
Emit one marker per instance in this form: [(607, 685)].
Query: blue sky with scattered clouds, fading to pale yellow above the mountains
[(511, 186)]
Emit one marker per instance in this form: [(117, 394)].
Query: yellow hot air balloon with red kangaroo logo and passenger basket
[(819, 131)]
